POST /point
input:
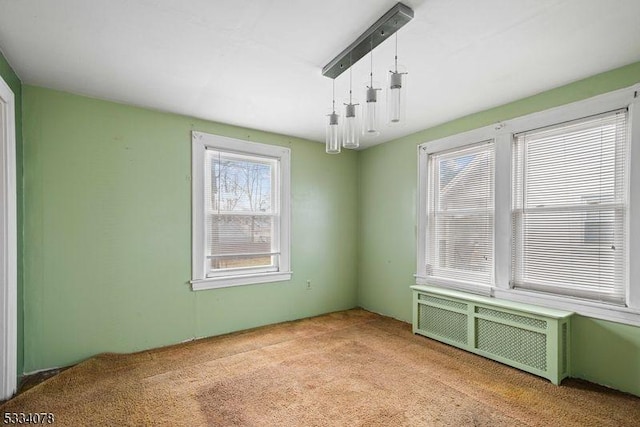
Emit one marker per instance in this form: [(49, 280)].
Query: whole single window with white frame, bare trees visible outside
[(240, 212)]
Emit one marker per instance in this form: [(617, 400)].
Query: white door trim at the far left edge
[(8, 245)]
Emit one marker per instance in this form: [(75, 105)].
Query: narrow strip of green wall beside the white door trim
[(10, 77)]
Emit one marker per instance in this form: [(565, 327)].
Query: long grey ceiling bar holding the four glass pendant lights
[(385, 27)]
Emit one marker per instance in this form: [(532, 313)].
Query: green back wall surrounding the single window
[(108, 232)]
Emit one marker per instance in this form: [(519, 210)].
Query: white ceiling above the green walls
[(257, 63)]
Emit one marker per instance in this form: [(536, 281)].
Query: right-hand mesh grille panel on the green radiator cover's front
[(520, 345)]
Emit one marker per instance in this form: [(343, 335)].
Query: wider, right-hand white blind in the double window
[(570, 208)]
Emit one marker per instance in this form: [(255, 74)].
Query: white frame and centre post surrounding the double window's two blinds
[(503, 133)]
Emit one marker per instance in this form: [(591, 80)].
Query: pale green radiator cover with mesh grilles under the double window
[(534, 339)]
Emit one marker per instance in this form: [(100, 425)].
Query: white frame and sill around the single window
[(200, 279)]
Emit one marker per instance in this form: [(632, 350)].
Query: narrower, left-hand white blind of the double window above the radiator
[(460, 217)]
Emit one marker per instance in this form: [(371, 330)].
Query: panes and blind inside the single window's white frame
[(242, 218)]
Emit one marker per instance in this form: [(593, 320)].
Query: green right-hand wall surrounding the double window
[(603, 352)]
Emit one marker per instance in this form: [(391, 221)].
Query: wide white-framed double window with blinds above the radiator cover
[(544, 211)]
